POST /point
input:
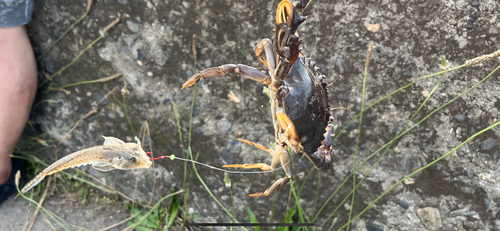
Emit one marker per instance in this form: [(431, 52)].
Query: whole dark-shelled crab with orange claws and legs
[(298, 95)]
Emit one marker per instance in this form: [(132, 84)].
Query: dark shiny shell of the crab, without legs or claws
[(304, 99)]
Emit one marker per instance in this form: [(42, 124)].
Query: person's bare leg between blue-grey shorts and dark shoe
[(18, 78)]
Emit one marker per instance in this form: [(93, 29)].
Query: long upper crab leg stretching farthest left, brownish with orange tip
[(247, 71)]
